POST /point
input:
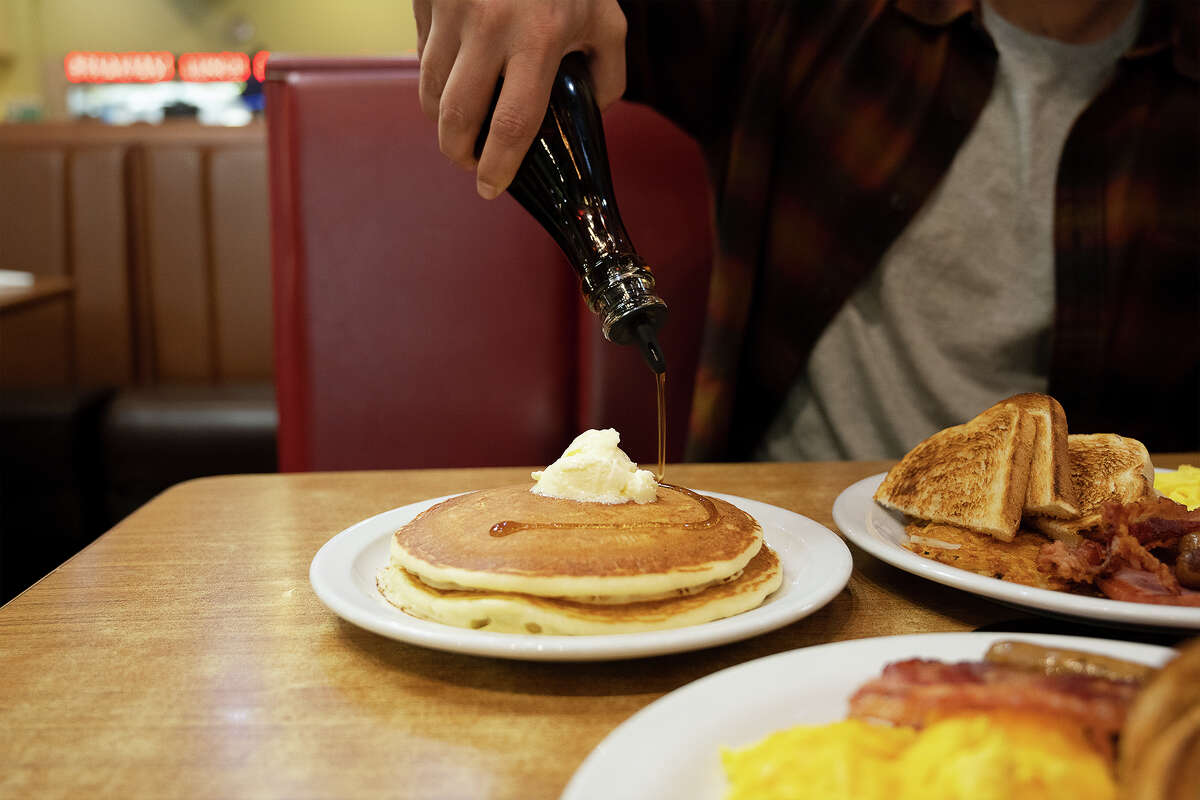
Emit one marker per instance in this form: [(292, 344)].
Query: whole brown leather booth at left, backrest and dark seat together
[(160, 234)]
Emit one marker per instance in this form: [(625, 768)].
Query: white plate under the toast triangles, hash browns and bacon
[(880, 532)]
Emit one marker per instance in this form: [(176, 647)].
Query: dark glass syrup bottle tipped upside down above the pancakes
[(566, 184)]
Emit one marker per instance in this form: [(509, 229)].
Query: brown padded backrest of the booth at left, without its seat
[(164, 232)]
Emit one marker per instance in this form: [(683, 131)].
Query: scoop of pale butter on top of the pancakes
[(595, 470)]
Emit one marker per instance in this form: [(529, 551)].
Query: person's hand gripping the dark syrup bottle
[(465, 46)]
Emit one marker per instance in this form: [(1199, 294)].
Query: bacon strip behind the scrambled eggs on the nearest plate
[(917, 693)]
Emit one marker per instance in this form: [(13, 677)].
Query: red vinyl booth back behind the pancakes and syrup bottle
[(418, 326)]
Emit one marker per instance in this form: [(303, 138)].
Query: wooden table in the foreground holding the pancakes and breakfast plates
[(184, 653)]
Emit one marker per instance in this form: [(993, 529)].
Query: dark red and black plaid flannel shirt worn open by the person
[(826, 124)]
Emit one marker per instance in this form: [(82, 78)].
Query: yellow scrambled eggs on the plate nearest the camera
[(974, 757)]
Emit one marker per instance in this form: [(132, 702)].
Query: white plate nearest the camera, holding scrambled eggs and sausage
[(671, 749)]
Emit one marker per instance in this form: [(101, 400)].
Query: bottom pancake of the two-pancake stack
[(521, 613)]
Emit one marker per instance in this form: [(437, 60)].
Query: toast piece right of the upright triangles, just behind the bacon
[(1105, 467)]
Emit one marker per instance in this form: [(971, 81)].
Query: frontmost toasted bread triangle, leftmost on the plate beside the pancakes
[(973, 476)]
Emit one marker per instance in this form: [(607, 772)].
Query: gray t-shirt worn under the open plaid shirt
[(958, 315)]
